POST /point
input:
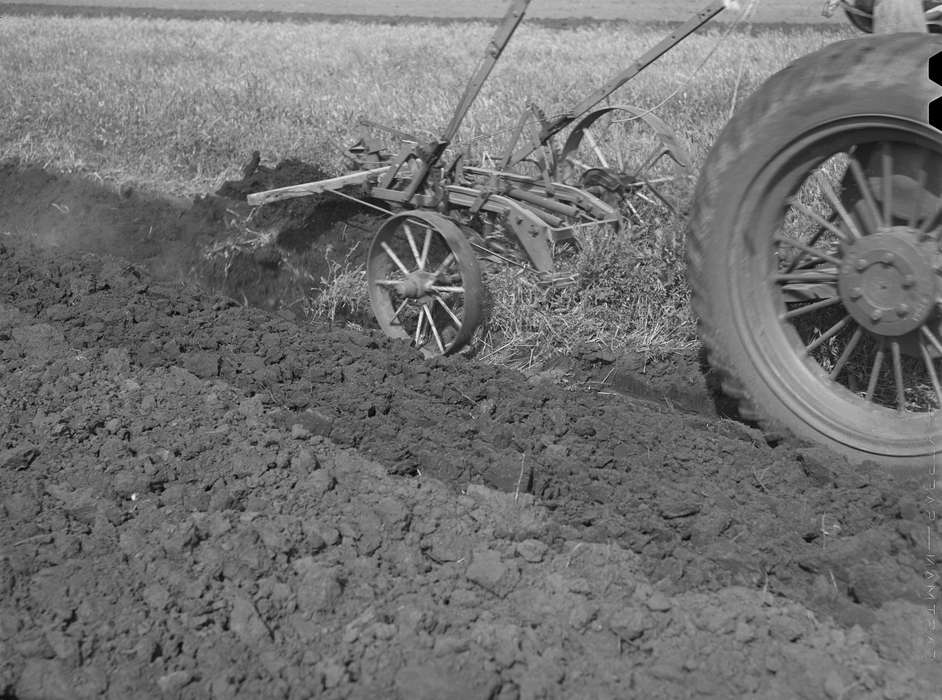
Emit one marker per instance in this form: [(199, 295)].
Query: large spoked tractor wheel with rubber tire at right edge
[(814, 251)]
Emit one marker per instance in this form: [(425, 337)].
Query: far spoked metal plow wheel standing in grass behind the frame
[(626, 156)]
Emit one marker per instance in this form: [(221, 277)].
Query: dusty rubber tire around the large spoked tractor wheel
[(871, 75)]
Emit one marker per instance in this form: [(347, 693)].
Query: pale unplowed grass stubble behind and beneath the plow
[(177, 106)]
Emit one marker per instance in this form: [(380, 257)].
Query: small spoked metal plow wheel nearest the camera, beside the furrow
[(425, 282)]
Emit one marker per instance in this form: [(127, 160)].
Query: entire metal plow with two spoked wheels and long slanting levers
[(423, 266)]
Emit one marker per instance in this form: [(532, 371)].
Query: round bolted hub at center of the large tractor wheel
[(887, 282)]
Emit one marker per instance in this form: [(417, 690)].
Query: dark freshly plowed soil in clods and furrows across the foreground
[(204, 495)]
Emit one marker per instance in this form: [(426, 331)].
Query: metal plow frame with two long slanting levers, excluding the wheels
[(537, 210)]
